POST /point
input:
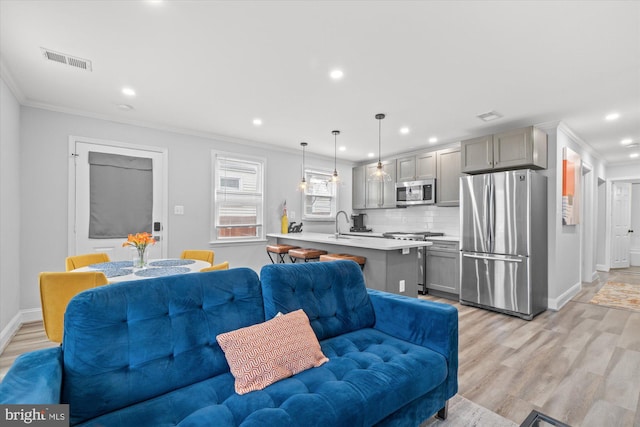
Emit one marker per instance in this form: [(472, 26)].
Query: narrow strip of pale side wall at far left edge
[(10, 241)]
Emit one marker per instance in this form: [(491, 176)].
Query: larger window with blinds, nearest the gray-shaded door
[(238, 201)]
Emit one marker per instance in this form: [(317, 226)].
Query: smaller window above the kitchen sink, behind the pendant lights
[(319, 196)]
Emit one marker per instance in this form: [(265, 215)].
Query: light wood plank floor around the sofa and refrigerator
[(580, 365)]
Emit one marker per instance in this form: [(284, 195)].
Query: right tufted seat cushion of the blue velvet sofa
[(369, 376)]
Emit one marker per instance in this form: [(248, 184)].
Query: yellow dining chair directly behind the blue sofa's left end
[(56, 290)]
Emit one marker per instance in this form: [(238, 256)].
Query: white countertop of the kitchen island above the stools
[(356, 240)]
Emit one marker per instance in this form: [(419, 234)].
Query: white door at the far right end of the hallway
[(621, 223)]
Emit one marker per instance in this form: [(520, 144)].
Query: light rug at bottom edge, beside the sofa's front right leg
[(465, 413)]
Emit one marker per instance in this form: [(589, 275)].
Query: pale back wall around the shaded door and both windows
[(43, 174)]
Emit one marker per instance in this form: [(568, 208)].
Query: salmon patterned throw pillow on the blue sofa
[(262, 354)]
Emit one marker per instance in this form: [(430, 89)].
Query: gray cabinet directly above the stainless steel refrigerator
[(519, 148)]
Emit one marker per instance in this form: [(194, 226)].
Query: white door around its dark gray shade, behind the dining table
[(81, 195)]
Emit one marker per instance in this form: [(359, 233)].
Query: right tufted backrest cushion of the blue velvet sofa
[(332, 294)]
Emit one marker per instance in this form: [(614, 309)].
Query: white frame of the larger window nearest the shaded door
[(218, 194)]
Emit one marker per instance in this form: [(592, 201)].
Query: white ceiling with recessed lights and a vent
[(211, 67)]
